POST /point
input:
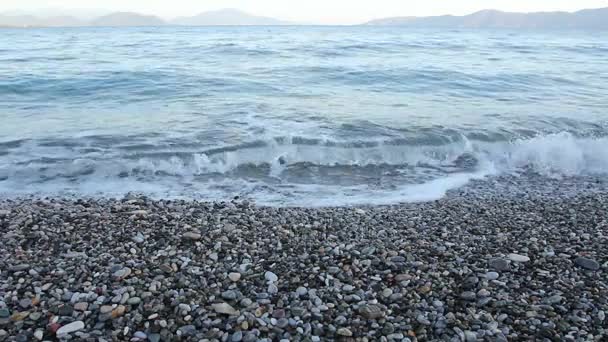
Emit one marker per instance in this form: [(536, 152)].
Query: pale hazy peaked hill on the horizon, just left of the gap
[(226, 17)]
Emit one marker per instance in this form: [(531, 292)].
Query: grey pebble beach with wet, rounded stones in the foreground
[(463, 268)]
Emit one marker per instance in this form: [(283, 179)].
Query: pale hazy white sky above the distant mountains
[(311, 11)]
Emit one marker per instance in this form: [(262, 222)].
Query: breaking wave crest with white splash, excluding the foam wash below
[(549, 155)]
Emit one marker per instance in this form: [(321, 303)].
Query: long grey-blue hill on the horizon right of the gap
[(585, 19)]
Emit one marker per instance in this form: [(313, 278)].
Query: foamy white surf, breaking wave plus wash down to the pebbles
[(296, 171)]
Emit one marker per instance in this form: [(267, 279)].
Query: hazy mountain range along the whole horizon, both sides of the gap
[(584, 19)]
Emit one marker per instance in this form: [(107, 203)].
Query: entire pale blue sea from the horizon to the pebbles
[(296, 116)]
